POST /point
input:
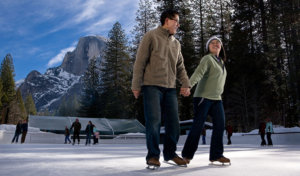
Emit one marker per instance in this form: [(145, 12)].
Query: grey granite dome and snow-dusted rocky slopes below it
[(63, 81)]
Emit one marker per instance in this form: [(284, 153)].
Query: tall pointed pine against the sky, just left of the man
[(116, 75)]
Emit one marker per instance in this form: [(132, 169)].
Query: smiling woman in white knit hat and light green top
[(210, 76)]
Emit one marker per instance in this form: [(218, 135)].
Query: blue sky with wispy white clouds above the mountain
[(38, 33)]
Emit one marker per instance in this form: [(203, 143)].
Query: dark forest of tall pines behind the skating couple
[(260, 37)]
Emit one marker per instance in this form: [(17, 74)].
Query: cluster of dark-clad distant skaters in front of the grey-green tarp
[(90, 131)]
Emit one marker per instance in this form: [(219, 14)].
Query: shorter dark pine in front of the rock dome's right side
[(90, 99)]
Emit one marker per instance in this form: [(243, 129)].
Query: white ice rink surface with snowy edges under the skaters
[(126, 156)]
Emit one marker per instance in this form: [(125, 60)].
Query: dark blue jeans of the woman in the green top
[(202, 108)]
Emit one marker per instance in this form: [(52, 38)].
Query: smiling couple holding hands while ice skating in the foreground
[(159, 63)]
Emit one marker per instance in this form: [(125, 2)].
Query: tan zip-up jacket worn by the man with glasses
[(159, 61)]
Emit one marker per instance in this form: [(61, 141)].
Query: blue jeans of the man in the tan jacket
[(161, 102)]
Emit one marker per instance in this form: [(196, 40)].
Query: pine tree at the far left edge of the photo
[(8, 85)]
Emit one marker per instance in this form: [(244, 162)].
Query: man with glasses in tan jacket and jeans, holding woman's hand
[(158, 64)]
